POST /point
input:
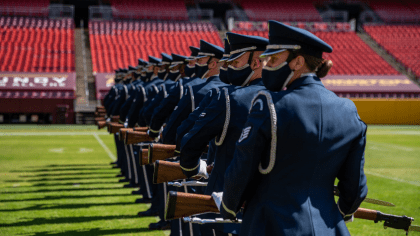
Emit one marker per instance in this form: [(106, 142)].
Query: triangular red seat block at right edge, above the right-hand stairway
[(402, 42)]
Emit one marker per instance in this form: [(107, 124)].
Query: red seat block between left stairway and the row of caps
[(117, 44)]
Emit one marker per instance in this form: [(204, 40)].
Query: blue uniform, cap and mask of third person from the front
[(194, 94)]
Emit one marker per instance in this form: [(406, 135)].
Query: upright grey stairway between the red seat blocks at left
[(85, 102)]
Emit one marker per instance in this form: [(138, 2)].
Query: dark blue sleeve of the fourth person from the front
[(165, 108)]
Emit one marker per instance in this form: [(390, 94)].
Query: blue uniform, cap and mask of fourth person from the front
[(163, 111)]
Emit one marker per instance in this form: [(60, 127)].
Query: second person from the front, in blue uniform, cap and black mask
[(225, 117)]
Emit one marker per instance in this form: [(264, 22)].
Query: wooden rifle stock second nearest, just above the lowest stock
[(165, 171)]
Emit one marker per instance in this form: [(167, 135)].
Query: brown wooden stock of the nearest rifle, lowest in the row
[(186, 204)]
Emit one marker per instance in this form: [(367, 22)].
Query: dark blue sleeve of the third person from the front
[(180, 113)]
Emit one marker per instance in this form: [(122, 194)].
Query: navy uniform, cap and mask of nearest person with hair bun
[(294, 145)]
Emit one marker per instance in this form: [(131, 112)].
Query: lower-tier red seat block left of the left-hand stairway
[(36, 45)]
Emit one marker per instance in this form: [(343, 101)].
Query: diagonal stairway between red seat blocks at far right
[(386, 56)]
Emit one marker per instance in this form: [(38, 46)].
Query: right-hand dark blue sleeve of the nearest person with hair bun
[(352, 178)]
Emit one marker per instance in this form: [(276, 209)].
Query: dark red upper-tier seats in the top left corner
[(24, 7)]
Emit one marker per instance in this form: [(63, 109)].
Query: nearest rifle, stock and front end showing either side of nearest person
[(181, 204)]
